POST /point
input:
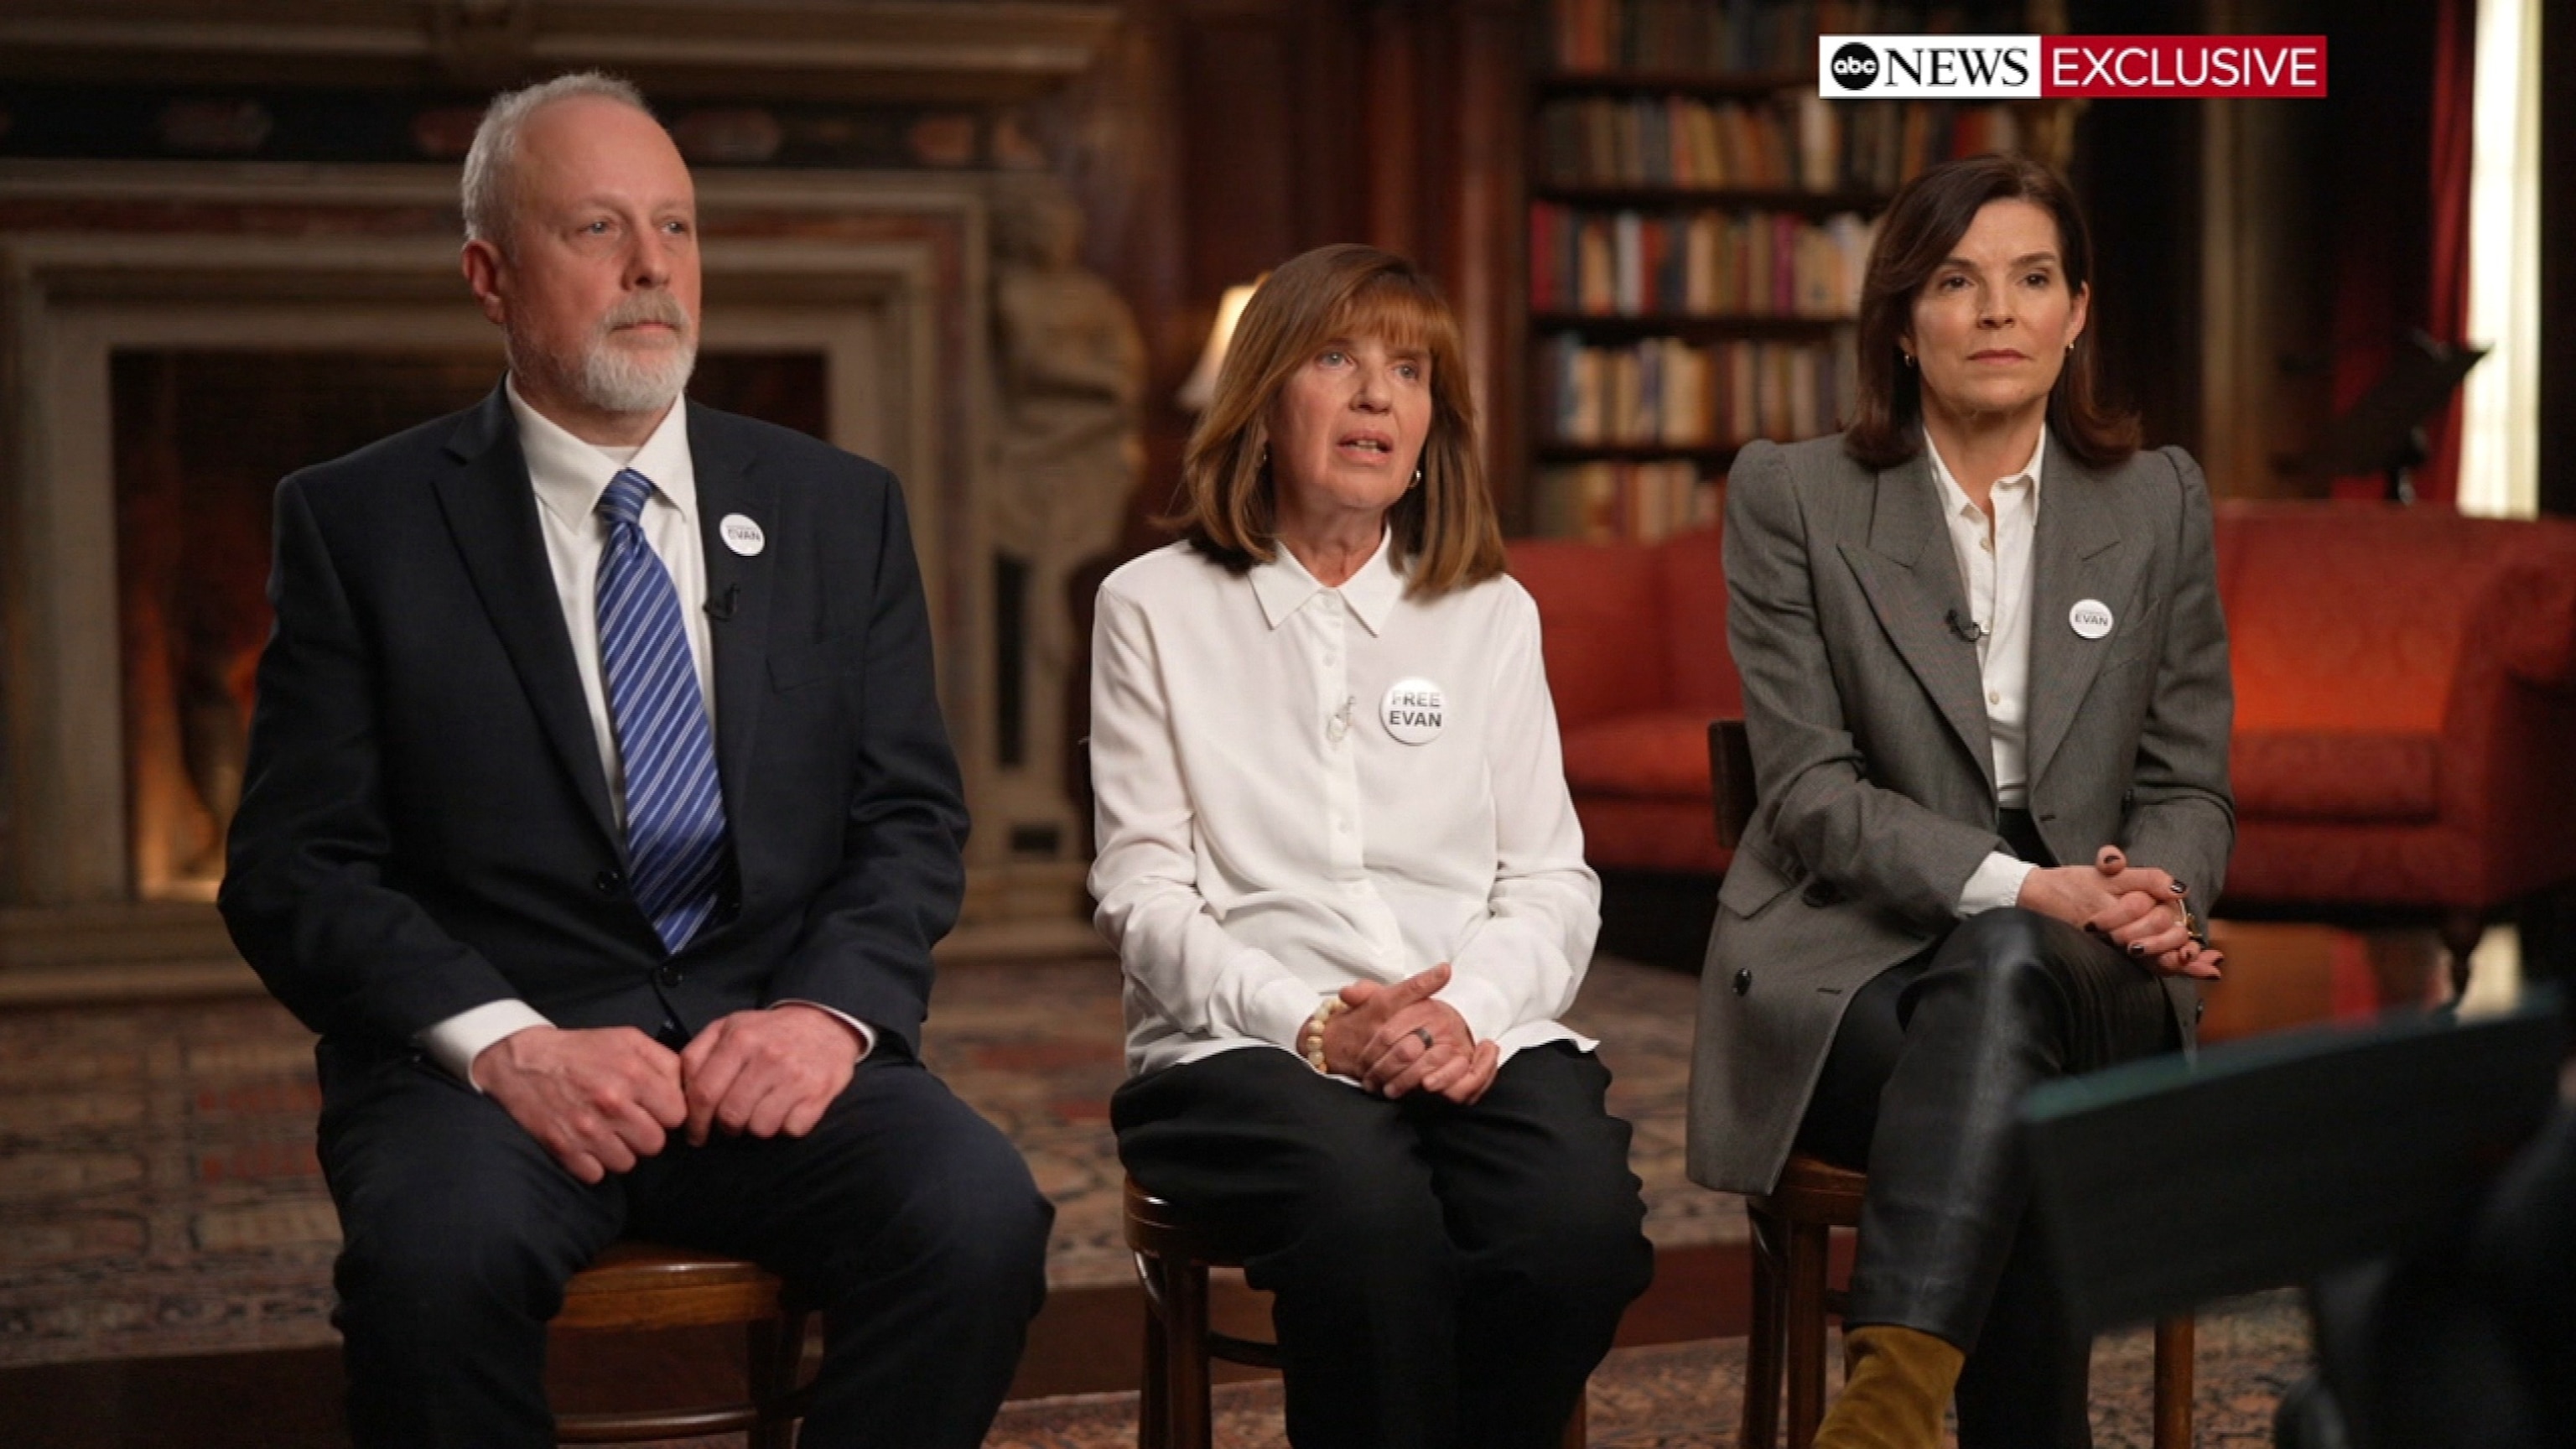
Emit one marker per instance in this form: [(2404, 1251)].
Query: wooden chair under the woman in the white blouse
[(1173, 1262)]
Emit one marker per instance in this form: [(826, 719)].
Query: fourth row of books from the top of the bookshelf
[(1676, 396)]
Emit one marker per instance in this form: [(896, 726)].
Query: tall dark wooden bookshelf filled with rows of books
[(1696, 233)]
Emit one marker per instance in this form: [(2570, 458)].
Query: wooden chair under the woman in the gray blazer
[(1792, 1298)]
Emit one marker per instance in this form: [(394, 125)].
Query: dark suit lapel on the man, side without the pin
[(493, 520)]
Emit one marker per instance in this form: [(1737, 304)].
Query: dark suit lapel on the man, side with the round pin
[(738, 592)]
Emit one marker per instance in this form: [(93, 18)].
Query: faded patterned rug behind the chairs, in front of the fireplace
[(158, 1182)]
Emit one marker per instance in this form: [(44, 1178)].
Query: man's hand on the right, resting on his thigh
[(769, 1074)]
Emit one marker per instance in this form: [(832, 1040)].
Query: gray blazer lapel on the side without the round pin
[(1913, 587)]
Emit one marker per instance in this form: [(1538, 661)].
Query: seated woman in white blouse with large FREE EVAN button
[(1349, 888)]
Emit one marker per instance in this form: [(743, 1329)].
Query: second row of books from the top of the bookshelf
[(1792, 143)]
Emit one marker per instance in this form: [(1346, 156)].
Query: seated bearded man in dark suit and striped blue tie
[(601, 821)]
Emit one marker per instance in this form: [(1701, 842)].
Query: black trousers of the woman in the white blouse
[(1446, 1275)]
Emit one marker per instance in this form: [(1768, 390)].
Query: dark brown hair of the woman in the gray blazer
[(1923, 226)]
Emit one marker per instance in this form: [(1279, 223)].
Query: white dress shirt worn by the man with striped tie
[(571, 478)]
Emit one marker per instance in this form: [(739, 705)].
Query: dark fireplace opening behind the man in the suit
[(202, 440)]
